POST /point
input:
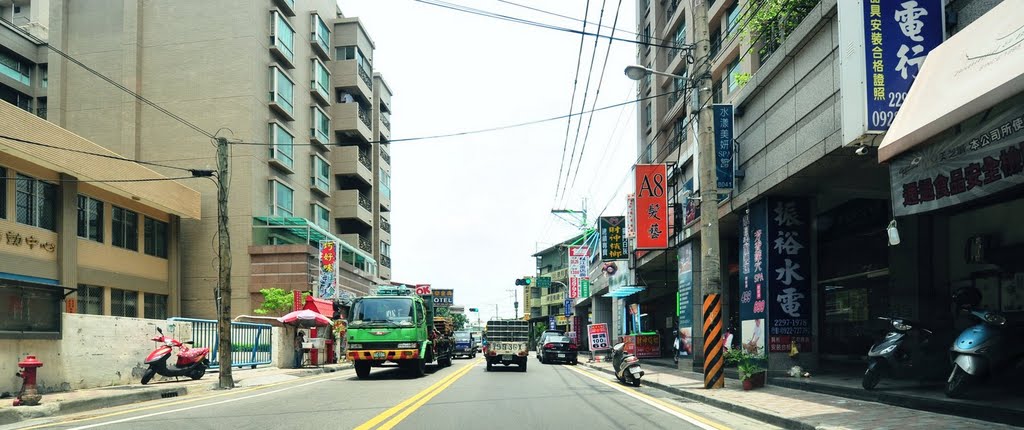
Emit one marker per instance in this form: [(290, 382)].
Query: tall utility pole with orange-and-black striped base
[(711, 281)]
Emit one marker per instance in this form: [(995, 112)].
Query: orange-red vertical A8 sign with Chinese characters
[(652, 207)]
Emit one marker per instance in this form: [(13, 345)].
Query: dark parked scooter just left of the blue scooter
[(907, 351)]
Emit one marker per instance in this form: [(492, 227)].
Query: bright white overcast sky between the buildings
[(470, 212)]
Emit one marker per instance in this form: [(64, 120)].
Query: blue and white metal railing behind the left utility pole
[(252, 345)]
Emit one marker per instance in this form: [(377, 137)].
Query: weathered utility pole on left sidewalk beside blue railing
[(225, 280)]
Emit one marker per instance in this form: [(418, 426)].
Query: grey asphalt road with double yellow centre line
[(465, 396)]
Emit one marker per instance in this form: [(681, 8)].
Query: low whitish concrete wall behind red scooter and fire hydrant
[(96, 352)]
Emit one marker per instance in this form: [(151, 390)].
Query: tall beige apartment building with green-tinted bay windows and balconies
[(289, 82)]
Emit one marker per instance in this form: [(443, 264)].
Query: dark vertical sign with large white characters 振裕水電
[(789, 269)]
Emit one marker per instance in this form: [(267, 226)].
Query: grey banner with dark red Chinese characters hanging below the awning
[(985, 158)]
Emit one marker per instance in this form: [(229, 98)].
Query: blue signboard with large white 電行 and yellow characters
[(899, 35)]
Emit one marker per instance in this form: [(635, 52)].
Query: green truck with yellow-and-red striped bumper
[(396, 325)]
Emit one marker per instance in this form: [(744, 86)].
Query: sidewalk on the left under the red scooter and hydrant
[(95, 399)]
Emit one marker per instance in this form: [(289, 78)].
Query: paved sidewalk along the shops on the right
[(795, 409)]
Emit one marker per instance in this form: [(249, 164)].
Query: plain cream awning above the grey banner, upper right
[(968, 74)]
